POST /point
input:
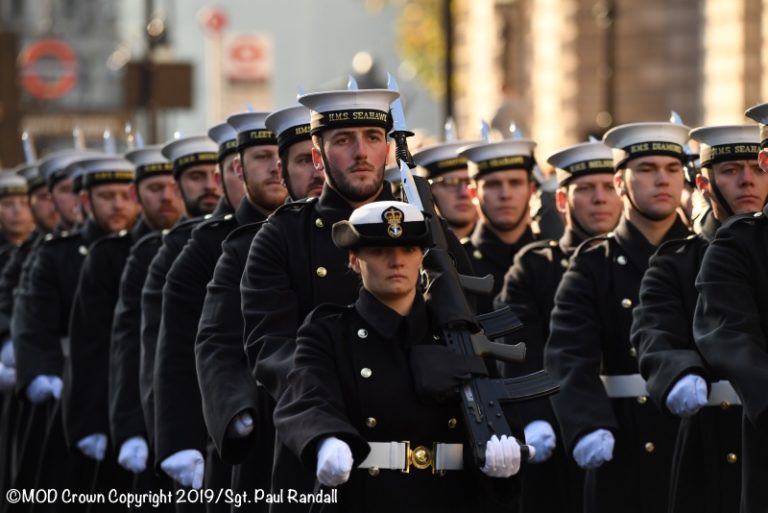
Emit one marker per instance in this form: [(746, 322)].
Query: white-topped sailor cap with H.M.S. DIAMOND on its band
[(635, 140)]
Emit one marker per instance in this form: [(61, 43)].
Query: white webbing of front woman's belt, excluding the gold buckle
[(394, 456)]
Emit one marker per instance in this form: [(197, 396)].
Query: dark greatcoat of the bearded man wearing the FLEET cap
[(179, 420)]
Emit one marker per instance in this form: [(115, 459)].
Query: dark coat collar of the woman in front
[(386, 322)]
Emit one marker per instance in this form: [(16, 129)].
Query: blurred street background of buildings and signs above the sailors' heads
[(560, 70)]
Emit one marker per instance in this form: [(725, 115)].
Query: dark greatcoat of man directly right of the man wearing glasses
[(489, 255)]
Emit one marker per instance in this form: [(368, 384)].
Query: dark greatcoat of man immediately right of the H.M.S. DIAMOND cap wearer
[(704, 477)]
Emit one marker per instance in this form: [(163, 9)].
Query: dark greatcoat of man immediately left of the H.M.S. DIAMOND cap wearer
[(529, 288)]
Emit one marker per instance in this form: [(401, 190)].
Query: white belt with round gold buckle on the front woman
[(401, 456)]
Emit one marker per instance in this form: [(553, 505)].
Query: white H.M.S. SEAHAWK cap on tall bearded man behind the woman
[(350, 108)]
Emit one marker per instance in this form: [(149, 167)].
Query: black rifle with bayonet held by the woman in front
[(464, 333)]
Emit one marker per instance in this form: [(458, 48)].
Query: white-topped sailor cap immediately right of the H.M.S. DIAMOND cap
[(726, 142)]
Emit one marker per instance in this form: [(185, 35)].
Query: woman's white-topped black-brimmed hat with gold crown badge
[(383, 223)]
